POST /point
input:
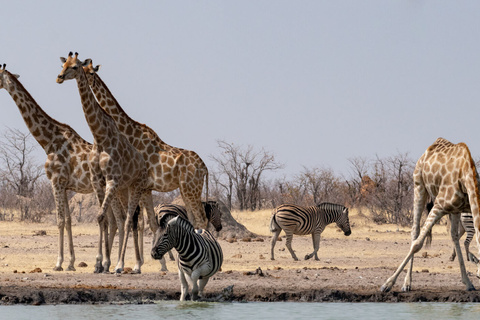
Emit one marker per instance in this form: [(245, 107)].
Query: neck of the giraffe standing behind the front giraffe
[(134, 131)]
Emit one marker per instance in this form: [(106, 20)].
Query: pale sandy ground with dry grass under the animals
[(350, 268)]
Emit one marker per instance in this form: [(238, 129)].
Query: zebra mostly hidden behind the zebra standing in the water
[(213, 213)]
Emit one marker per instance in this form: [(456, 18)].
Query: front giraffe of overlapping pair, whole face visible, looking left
[(112, 159)]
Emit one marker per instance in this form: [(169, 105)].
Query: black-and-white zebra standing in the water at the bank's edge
[(199, 254)]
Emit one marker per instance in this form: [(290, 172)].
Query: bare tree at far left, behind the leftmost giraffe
[(18, 170)]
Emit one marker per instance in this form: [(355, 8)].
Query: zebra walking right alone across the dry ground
[(299, 220)]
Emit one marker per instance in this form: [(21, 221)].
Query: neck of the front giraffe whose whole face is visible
[(101, 125)]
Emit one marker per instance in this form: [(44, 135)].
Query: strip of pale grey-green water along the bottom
[(252, 310)]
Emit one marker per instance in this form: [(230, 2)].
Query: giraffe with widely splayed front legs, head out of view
[(445, 172)]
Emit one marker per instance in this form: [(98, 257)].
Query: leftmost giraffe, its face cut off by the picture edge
[(66, 165)]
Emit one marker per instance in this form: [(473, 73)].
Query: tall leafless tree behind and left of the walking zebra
[(240, 173)]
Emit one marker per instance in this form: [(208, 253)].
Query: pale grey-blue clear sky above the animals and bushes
[(313, 82)]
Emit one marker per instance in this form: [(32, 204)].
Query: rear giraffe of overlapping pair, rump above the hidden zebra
[(169, 167)]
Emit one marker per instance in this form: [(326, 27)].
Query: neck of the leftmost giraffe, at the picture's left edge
[(42, 127)]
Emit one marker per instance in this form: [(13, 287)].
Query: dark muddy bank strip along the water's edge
[(10, 295)]
